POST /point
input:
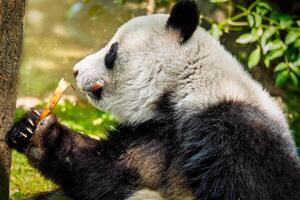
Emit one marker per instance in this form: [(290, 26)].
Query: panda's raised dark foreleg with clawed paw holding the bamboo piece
[(83, 167)]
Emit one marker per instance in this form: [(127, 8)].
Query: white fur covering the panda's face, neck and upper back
[(151, 61)]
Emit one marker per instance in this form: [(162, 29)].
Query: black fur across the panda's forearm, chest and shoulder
[(230, 151)]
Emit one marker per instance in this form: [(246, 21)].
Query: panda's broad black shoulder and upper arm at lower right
[(231, 153)]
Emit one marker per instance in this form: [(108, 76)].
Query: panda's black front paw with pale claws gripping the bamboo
[(19, 136)]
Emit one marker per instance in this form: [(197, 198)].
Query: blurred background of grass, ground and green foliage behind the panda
[(58, 33)]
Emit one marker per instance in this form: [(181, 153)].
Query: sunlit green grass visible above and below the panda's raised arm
[(27, 181)]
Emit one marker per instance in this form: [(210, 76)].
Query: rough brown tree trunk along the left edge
[(11, 36)]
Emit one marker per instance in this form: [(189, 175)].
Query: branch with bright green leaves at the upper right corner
[(274, 35)]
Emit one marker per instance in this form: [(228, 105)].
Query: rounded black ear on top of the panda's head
[(184, 18)]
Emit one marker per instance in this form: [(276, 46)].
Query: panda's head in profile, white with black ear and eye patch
[(136, 68)]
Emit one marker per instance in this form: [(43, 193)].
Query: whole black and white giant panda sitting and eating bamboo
[(193, 124)]
